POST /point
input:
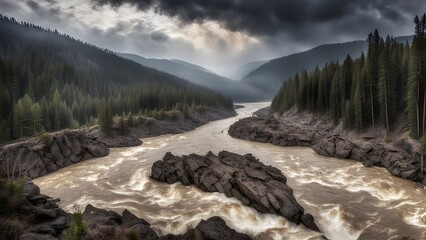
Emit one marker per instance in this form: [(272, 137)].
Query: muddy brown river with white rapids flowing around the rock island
[(347, 200)]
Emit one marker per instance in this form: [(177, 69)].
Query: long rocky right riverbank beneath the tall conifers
[(399, 157)]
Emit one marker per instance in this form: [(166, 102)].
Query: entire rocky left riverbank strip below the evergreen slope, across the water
[(39, 156)]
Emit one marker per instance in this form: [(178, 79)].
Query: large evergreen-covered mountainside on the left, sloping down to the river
[(50, 81)]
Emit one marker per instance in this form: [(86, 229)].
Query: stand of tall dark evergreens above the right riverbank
[(371, 90)]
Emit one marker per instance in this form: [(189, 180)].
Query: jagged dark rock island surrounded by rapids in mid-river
[(243, 177)]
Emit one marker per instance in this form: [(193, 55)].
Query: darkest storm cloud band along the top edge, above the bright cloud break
[(272, 17)]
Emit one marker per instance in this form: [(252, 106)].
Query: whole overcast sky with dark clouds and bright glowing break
[(217, 34)]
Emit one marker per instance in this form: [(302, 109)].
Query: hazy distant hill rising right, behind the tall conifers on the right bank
[(270, 75)]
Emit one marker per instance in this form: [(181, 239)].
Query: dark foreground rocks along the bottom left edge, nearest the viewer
[(37, 216)]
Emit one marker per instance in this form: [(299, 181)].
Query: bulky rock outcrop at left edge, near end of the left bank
[(34, 157)]
